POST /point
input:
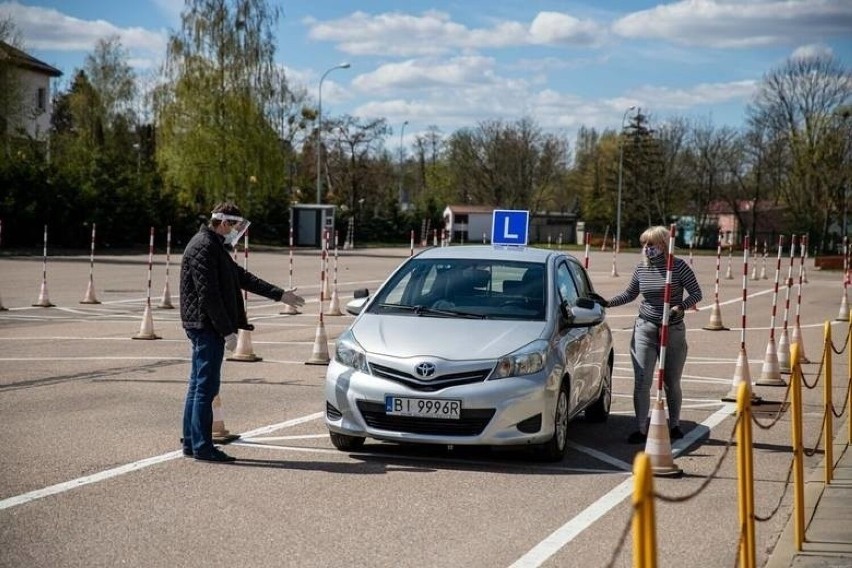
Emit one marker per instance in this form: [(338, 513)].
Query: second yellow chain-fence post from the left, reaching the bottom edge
[(745, 471)]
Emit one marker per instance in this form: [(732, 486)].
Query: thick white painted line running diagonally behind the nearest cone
[(573, 528)]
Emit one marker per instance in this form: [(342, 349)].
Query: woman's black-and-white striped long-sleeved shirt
[(650, 281)]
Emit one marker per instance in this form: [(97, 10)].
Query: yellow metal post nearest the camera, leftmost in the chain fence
[(644, 521)]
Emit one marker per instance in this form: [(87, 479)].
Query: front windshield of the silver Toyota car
[(465, 288)]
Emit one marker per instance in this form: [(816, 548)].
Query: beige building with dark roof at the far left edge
[(27, 100)]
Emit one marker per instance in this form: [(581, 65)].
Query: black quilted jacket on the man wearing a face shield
[(210, 284)]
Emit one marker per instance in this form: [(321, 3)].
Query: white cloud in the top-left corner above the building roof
[(49, 29)]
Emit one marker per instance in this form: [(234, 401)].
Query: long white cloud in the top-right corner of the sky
[(737, 24)]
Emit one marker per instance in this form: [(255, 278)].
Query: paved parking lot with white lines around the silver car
[(92, 473)]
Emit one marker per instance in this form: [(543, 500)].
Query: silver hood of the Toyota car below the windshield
[(447, 338)]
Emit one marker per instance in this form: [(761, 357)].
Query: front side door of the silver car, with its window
[(573, 342)]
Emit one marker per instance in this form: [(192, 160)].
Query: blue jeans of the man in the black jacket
[(208, 350)]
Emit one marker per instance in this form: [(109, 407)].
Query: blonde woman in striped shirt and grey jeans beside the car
[(649, 279)]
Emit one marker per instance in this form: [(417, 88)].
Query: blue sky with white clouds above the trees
[(453, 63)]
